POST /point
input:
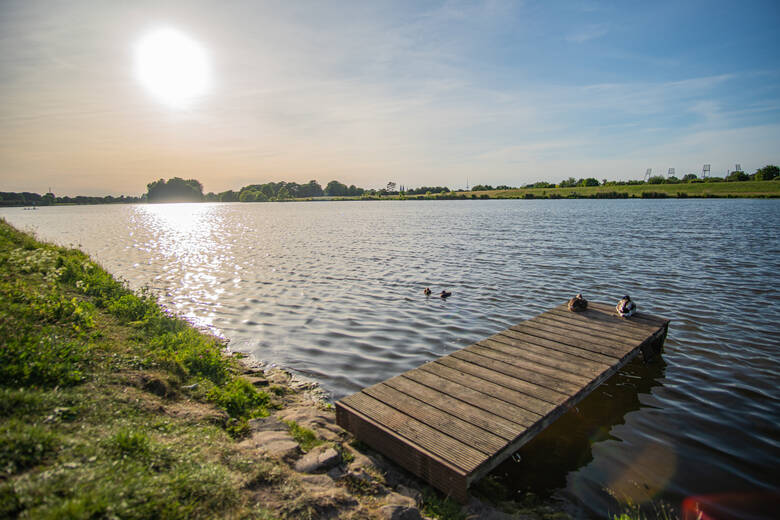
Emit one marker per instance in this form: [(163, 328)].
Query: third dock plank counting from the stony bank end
[(474, 415)]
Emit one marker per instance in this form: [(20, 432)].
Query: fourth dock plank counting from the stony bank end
[(499, 408)]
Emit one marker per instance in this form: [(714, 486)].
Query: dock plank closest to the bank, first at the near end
[(446, 448)]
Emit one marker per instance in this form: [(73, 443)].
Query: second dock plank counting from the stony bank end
[(449, 425)]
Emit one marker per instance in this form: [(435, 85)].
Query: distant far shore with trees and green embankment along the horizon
[(763, 183)]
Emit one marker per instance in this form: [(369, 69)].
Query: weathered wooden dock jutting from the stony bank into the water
[(453, 420)]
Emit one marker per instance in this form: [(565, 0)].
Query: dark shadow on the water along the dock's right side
[(542, 465)]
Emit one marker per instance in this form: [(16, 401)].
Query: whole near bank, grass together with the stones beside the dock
[(112, 407)]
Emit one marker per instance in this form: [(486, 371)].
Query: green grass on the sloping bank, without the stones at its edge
[(88, 372)]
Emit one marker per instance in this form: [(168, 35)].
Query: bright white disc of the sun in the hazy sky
[(172, 66)]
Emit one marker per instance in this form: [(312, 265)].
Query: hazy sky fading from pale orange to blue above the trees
[(415, 92)]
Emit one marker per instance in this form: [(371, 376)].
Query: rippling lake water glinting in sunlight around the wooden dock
[(334, 291)]
